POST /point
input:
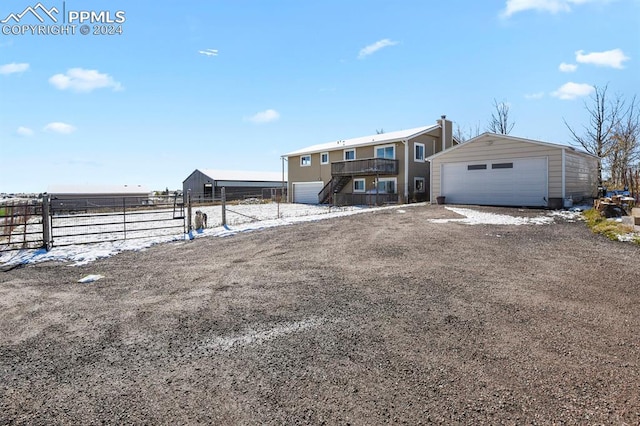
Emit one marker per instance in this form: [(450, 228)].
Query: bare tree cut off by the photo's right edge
[(625, 146)]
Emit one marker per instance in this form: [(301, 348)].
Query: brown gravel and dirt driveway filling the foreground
[(382, 317)]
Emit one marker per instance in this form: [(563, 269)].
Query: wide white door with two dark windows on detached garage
[(514, 182)]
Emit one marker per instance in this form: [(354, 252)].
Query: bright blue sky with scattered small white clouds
[(235, 84)]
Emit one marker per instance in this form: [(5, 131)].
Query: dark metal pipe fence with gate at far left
[(49, 222)]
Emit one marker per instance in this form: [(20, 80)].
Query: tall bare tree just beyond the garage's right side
[(604, 117)]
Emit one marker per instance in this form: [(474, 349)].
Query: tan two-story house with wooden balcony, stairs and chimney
[(376, 169)]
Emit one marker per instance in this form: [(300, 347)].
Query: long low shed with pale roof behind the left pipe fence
[(83, 197)]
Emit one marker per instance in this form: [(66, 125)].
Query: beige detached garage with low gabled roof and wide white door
[(502, 170)]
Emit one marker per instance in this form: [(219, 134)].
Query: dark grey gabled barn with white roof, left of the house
[(207, 184)]
